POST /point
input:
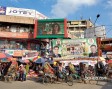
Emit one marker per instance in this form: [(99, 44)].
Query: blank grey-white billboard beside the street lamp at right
[(95, 32)]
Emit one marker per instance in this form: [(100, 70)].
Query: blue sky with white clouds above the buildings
[(70, 9)]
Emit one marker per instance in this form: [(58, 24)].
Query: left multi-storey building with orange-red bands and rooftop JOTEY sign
[(17, 28)]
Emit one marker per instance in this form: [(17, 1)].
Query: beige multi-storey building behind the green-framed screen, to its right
[(76, 28)]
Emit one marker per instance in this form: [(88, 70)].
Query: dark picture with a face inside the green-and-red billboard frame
[(50, 28)]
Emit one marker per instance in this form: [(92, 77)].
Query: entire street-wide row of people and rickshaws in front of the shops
[(19, 72)]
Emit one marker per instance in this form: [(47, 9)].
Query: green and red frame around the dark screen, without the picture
[(65, 35)]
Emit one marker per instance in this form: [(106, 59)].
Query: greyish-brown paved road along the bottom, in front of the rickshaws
[(35, 85)]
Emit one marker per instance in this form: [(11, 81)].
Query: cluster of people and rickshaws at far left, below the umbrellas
[(12, 71)]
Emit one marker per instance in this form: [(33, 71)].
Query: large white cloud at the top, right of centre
[(63, 8)]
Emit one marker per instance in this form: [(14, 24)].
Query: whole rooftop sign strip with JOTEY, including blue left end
[(21, 12)]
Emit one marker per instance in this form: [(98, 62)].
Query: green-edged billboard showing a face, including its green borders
[(51, 28)]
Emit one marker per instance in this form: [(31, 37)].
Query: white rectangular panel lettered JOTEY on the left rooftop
[(20, 12)]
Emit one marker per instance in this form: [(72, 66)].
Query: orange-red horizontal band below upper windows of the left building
[(15, 35)]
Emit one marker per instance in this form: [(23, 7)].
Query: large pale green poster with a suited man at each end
[(71, 48)]
